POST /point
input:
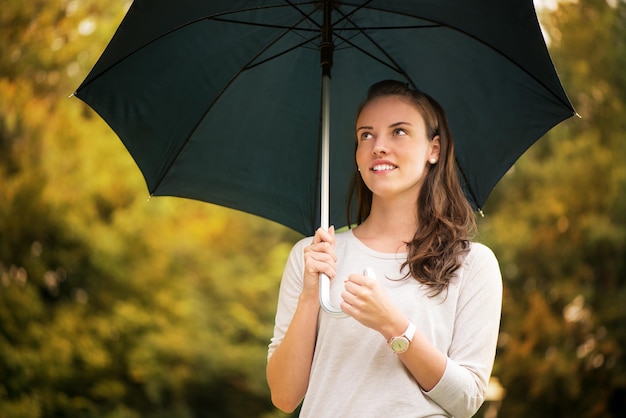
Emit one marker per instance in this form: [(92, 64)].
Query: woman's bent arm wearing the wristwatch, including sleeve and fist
[(456, 378)]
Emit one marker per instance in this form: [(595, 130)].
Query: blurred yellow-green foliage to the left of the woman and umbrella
[(111, 306)]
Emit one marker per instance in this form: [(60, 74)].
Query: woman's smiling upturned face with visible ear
[(393, 150)]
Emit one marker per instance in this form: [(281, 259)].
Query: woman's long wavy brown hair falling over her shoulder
[(446, 222)]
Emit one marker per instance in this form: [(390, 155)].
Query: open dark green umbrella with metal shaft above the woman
[(232, 102)]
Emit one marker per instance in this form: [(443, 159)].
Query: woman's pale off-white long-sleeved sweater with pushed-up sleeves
[(355, 374)]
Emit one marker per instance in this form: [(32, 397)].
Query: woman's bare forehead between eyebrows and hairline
[(390, 109)]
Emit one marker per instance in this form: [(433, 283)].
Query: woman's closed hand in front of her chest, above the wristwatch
[(368, 302)]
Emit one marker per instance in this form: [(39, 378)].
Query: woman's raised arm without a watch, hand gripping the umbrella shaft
[(292, 348)]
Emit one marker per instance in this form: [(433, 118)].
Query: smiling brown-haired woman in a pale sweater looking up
[(420, 340)]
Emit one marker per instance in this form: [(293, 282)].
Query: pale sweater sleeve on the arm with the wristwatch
[(461, 389)]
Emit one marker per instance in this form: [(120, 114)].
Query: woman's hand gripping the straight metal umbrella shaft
[(319, 257)]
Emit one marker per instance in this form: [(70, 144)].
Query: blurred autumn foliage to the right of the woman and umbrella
[(558, 225)]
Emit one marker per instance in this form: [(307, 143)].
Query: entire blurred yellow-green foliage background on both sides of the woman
[(119, 306)]
